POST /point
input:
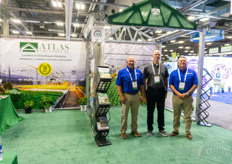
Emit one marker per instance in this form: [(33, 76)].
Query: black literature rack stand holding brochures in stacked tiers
[(101, 105)]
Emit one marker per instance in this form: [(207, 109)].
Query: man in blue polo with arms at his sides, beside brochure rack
[(129, 83)]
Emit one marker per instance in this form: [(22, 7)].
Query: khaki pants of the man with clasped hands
[(178, 104)]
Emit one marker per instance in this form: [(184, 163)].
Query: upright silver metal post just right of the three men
[(200, 71)]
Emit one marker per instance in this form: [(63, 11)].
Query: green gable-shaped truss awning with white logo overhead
[(154, 13)]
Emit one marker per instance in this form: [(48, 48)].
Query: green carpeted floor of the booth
[(65, 137)]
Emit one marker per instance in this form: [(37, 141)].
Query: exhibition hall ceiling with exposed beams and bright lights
[(68, 19)]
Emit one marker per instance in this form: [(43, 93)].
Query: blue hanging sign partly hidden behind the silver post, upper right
[(211, 35)]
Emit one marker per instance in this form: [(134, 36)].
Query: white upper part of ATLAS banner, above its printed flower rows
[(25, 59)]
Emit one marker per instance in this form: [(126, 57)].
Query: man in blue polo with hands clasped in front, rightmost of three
[(183, 82)]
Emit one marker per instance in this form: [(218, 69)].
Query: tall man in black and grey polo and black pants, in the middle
[(157, 75)]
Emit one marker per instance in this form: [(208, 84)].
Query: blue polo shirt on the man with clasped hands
[(191, 79)]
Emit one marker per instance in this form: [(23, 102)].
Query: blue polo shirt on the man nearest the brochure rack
[(124, 79)]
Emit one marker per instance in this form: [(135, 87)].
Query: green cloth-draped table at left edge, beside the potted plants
[(8, 115)]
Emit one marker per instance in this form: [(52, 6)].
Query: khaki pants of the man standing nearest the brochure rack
[(133, 102)]
